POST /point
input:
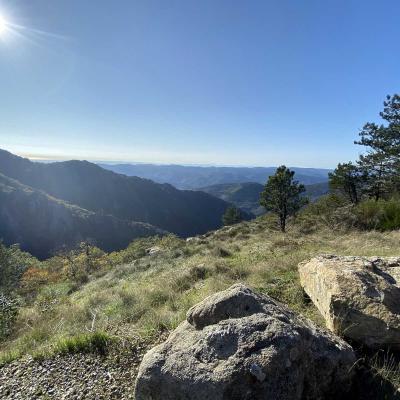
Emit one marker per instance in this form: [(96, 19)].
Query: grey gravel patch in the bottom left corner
[(74, 376)]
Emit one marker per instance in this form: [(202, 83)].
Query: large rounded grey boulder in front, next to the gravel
[(237, 344)]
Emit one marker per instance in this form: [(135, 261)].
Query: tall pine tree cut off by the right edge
[(381, 163)]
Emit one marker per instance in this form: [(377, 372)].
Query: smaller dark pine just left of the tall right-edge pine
[(348, 180)]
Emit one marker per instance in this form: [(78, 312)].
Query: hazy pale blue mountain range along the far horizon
[(193, 177)]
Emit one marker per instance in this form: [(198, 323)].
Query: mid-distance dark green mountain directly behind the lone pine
[(246, 195)]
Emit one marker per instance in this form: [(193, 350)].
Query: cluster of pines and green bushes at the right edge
[(370, 187)]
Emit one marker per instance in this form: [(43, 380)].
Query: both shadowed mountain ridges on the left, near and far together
[(68, 201)]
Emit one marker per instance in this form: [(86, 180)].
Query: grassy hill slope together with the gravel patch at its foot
[(146, 298)]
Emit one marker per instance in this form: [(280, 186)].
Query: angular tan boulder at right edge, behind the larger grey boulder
[(359, 297)]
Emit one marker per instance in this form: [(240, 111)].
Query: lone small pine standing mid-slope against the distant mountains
[(282, 195)]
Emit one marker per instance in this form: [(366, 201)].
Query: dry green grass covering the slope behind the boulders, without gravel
[(148, 295)]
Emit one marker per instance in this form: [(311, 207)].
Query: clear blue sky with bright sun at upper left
[(221, 82)]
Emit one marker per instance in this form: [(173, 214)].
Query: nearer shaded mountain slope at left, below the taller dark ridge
[(42, 224)]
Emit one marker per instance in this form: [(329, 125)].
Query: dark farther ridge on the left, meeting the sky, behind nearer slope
[(87, 185)]
